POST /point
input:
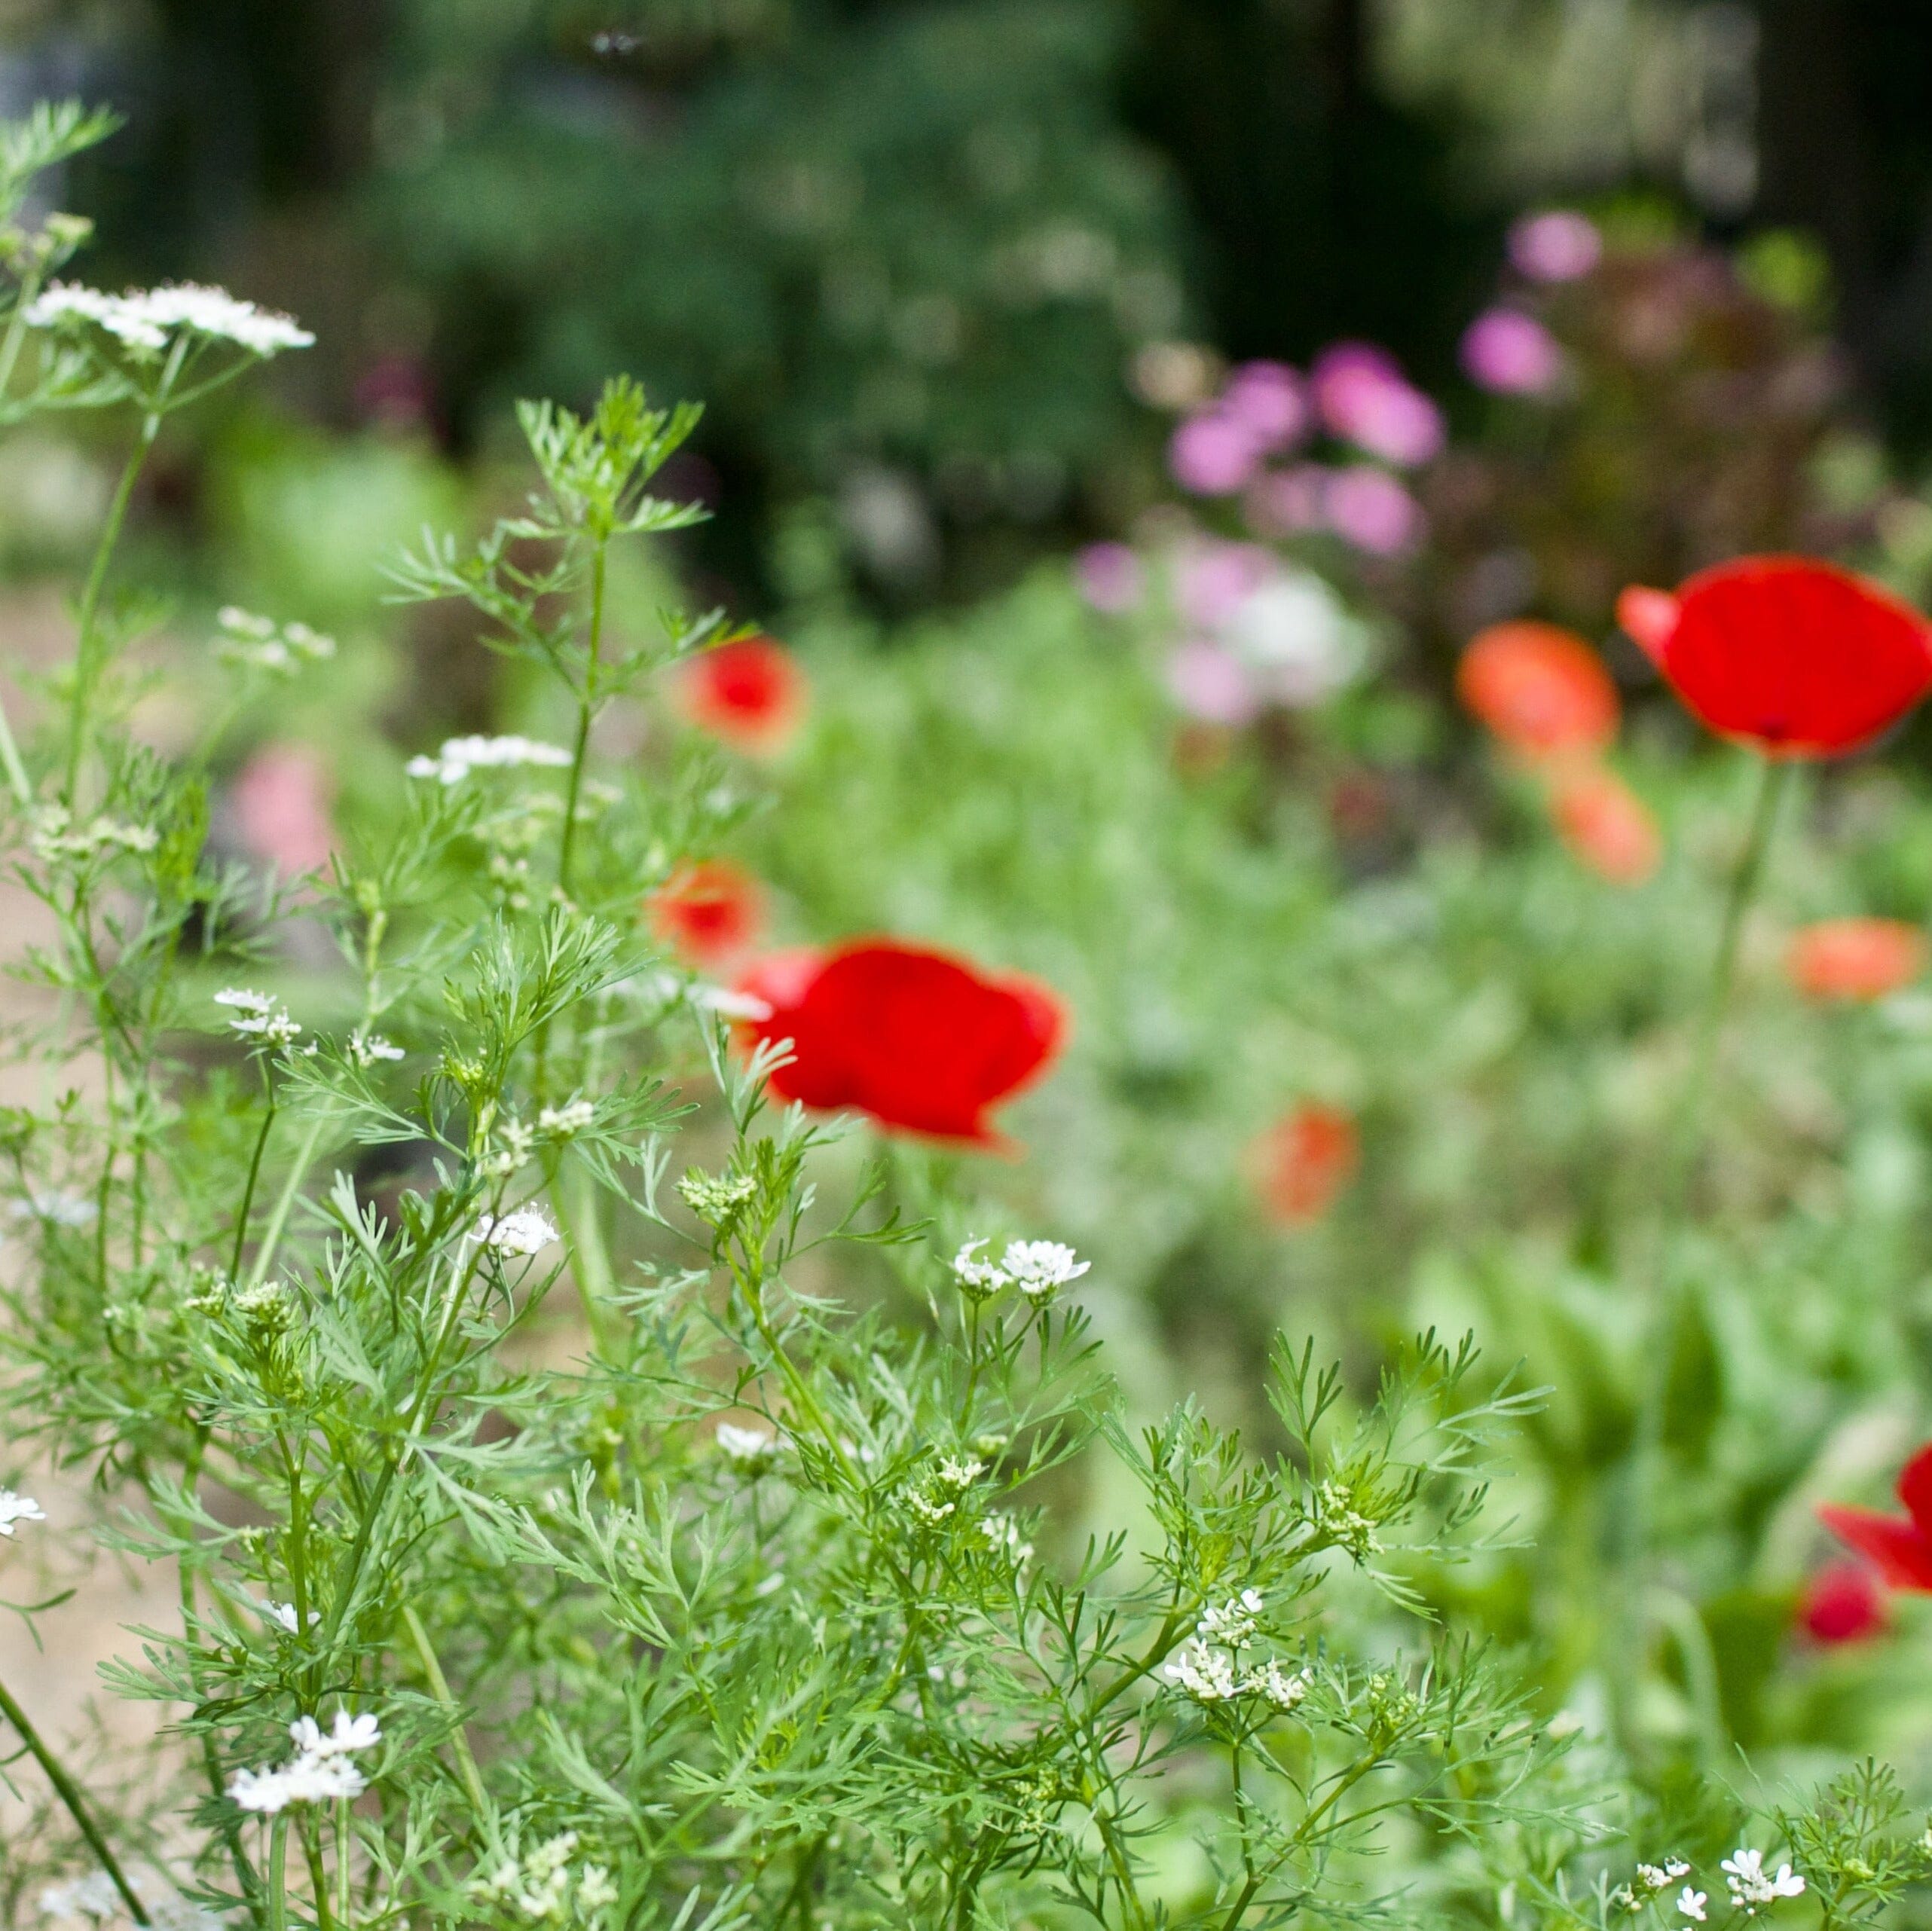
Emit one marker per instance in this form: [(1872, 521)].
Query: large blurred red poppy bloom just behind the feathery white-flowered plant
[(923, 1042)]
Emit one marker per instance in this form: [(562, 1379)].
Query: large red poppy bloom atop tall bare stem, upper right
[(1792, 658)]
